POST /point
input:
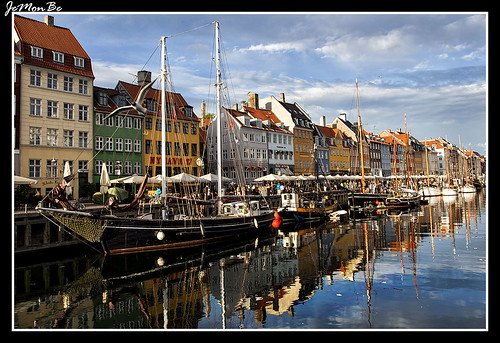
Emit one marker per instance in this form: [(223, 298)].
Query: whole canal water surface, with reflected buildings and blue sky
[(424, 269)]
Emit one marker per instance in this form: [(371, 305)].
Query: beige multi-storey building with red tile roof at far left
[(54, 116)]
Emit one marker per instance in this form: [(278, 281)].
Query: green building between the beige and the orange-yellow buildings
[(117, 140)]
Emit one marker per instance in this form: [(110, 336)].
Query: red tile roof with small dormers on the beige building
[(50, 38)]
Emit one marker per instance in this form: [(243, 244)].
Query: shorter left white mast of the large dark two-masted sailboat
[(163, 128)]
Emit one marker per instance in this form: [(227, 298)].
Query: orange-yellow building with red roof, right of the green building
[(182, 137)]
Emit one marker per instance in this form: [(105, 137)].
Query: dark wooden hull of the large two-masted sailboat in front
[(119, 235)]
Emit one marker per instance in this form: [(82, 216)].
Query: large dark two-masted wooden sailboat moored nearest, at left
[(118, 234)]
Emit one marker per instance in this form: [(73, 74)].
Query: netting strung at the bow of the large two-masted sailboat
[(89, 228)]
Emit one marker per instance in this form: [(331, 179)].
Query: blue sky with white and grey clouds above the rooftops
[(431, 66)]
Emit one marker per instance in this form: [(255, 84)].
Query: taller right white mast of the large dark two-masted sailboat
[(219, 119)]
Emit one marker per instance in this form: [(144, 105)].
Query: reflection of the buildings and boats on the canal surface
[(237, 288)]
